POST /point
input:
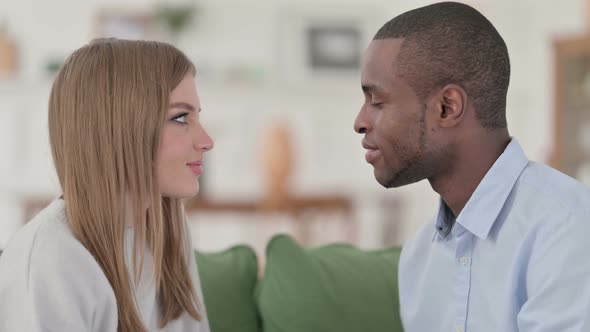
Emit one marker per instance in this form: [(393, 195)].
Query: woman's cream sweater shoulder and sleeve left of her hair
[(45, 264)]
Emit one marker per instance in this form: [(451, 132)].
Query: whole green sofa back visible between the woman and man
[(335, 287)]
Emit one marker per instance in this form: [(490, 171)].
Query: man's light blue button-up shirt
[(517, 258)]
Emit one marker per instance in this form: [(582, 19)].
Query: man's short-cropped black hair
[(450, 42)]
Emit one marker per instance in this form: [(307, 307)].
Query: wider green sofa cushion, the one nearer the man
[(331, 288)]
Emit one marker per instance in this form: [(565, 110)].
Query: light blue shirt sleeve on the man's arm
[(558, 278)]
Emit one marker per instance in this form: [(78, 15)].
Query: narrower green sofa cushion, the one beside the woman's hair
[(228, 279)]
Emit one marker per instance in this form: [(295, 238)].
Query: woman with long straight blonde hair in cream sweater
[(113, 253)]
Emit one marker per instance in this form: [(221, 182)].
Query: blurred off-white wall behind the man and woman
[(321, 109)]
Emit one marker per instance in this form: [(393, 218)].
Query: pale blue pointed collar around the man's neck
[(484, 206)]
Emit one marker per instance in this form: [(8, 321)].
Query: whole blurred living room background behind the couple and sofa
[(280, 88)]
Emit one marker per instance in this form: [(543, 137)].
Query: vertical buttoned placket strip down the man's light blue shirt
[(463, 260)]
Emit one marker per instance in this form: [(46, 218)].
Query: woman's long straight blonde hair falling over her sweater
[(107, 107)]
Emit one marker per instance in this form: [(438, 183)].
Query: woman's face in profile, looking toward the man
[(184, 142)]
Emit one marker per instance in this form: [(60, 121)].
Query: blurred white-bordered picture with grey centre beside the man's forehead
[(323, 43)]
